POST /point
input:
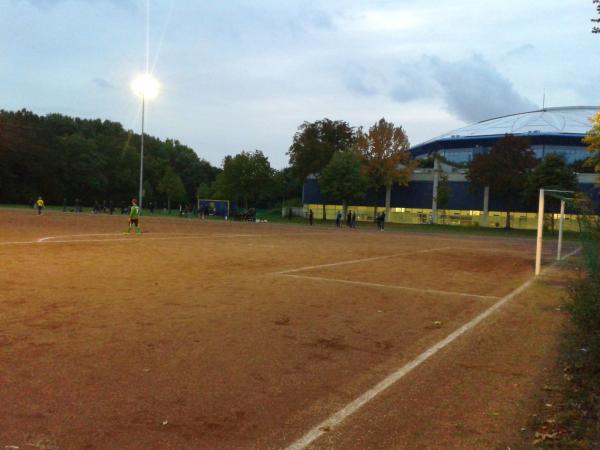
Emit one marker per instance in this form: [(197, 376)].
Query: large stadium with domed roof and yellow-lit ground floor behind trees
[(550, 131)]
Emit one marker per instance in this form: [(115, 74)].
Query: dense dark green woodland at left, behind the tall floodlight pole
[(62, 157)]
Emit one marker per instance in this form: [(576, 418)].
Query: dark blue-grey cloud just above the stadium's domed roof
[(474, 90)]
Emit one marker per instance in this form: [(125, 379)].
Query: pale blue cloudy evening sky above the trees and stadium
[(243, 75)]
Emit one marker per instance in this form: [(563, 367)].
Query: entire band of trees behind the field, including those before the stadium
[(64, 158)]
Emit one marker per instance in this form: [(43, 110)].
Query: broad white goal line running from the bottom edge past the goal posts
[(341, 415)]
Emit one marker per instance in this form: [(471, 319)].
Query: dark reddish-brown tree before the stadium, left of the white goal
[(504, 169)]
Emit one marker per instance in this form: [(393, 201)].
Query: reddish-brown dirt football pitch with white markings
[(213, 335)]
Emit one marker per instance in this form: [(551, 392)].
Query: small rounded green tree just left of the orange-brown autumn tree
[(342, 179)]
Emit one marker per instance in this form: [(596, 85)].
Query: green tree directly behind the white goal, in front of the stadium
[(552, 172)]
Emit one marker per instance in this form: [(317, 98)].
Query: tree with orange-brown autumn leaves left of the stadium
[(384, 152)]
